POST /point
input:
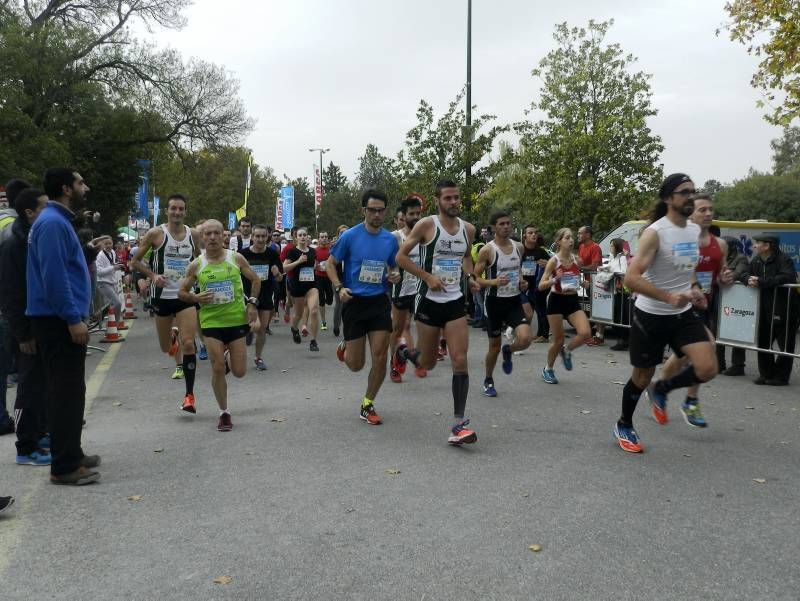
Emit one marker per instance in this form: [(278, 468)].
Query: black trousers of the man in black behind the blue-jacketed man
[(30, 402)]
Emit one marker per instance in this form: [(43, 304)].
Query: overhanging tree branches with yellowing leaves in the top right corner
[(770, 30)]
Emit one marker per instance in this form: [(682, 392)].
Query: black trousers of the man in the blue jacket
[(64, 368)]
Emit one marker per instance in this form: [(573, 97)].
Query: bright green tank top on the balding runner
[(224, 279)]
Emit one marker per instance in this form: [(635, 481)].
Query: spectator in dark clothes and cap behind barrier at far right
[(769, 269)]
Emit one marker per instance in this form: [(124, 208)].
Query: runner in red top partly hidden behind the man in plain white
[(709, 271)]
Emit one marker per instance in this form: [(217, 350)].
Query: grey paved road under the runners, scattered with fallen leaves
[(304, 507)]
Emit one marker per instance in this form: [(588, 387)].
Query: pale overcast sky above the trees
[(342, 74)]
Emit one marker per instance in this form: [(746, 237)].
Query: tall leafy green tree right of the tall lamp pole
[(593, 158)]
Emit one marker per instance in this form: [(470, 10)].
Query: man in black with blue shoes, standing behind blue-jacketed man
[(29, 405)]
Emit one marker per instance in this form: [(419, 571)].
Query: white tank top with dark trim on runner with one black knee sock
[(442, 257)]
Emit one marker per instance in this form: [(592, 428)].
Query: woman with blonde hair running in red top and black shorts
[(563, 276)]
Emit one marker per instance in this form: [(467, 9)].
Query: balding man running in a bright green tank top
[(223, 317)]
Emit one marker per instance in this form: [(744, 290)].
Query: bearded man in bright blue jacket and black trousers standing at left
[(59, 296)]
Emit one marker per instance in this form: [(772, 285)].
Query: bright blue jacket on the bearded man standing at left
[(58, 277)]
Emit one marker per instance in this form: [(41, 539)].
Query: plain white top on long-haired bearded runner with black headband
[(673, 266)]
